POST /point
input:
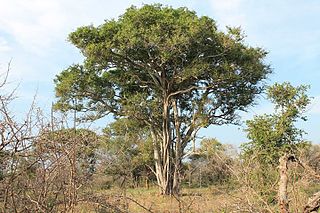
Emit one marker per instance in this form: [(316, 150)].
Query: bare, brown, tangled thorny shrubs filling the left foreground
[(44, 165)]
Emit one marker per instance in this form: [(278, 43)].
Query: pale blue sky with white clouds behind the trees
[(34, 33)]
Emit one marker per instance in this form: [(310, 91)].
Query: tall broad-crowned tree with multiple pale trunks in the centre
[(167, 68)]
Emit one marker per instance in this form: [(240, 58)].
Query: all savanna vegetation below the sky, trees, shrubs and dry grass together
[(163, 74)]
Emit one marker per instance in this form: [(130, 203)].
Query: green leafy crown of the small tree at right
[(273, 135)]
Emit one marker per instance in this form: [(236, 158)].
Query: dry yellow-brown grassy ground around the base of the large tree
[(211, 199)]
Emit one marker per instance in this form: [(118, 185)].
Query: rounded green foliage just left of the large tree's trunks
[(128, 147)]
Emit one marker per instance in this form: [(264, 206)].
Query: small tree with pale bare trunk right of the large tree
[(275, 139)]
